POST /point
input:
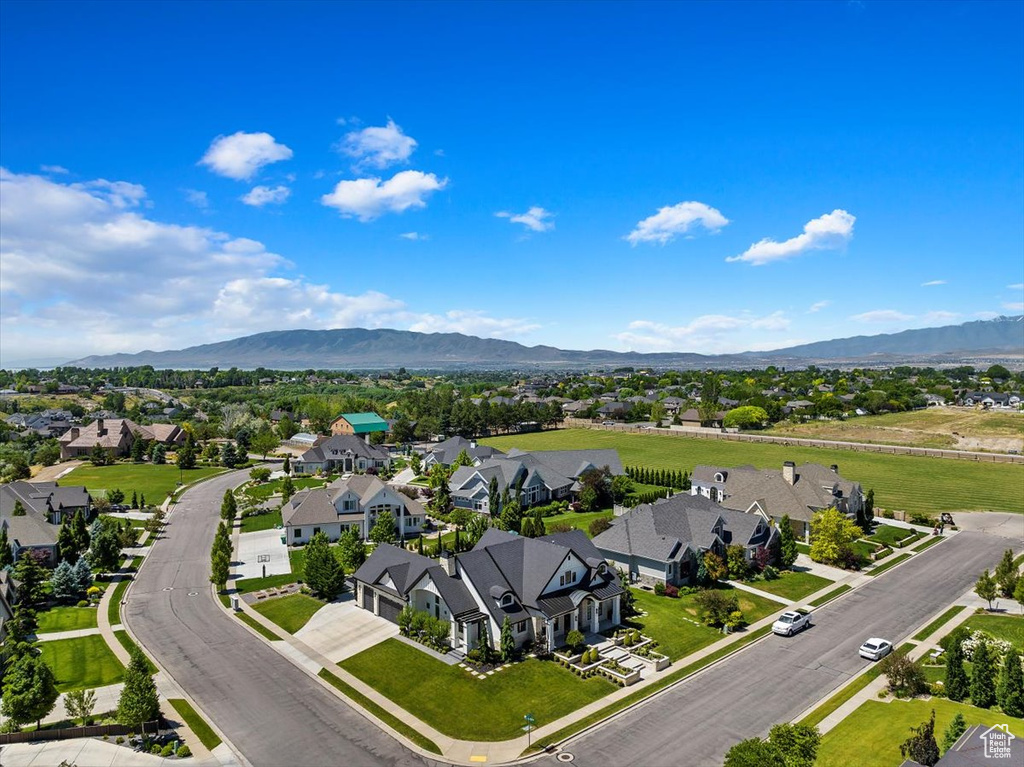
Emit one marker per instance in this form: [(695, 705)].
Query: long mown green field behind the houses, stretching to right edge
[(909, 483)]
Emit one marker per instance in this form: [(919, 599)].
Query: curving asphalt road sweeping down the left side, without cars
[(272, 711)]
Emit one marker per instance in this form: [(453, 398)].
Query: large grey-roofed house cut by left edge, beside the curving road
[(47, 507)]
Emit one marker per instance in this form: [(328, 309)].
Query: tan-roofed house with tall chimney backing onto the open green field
[(796, 491)]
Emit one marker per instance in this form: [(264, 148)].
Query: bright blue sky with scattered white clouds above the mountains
[(670, 177)]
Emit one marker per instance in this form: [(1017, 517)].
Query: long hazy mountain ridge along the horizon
[(361, 349)]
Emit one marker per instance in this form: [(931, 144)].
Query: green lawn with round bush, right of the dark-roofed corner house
[(670, 621)]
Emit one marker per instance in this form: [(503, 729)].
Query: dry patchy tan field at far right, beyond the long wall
[(956, 429)]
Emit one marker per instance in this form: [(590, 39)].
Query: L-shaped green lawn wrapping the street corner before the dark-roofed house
[(461, 706)]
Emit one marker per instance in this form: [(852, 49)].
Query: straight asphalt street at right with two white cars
[(776, 679)]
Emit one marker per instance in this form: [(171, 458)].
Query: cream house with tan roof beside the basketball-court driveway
[(352, 502)]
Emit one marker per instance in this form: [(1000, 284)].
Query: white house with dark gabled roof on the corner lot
[(546, 587)]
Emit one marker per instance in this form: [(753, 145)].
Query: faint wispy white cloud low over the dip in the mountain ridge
[(708, 333)]
